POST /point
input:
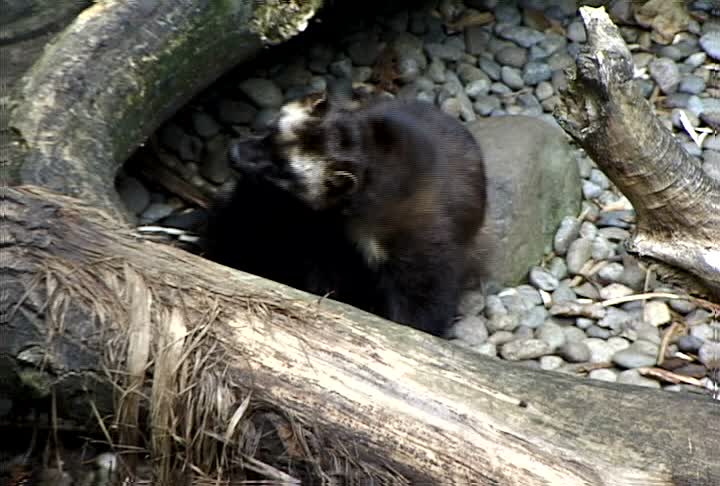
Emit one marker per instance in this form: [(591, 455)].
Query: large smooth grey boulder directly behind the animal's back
[(533, 182)]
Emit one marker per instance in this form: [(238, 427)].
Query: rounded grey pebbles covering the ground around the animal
[(475, 68)]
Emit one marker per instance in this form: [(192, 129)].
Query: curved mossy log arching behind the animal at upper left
[(118, 71)]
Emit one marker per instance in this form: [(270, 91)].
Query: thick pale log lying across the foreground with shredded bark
[(85, 303)]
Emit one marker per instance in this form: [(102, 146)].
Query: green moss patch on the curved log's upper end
[(276, 21)]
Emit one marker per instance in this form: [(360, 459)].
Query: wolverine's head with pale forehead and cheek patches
[(314, 149)]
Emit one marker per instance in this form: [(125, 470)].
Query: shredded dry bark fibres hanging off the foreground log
[(179, 404)]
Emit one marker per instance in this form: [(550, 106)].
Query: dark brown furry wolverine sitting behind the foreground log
[(377, 204)]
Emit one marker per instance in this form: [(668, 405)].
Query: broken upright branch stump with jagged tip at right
[(677, 203)]
